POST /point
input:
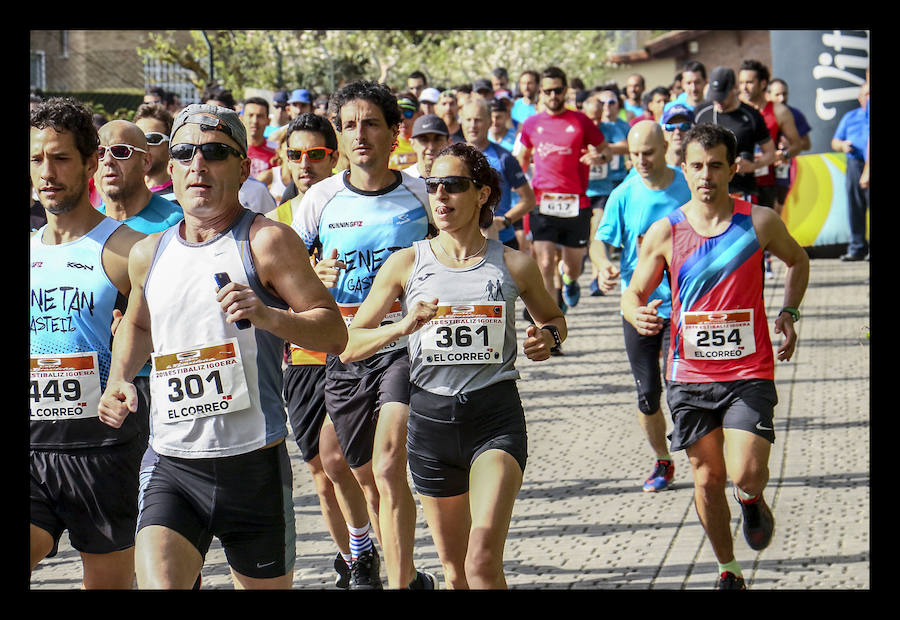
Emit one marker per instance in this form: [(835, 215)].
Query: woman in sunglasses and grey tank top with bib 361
[(462, 364)]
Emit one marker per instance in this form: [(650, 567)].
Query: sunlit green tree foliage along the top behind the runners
[(323, 60)]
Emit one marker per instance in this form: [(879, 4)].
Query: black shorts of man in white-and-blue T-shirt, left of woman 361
[(354, 394)]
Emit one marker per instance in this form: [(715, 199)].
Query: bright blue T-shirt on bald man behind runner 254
[(630, 210)]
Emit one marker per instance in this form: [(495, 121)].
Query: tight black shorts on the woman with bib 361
[(447, 433)]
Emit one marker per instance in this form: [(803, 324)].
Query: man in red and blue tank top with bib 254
[(721, 365)]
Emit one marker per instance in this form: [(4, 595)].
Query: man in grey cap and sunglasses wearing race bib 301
[(216, 385)]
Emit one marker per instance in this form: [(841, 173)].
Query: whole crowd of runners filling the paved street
[(211, 281)]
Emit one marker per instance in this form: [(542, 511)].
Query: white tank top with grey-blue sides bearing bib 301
[(216, 389)]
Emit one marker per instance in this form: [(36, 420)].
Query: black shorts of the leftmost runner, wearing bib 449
[(91, 492)]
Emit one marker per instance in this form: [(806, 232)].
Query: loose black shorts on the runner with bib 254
[(699, 408)]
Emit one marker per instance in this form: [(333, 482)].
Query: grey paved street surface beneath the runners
[(581, 520)]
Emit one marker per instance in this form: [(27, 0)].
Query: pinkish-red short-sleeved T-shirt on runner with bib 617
[(557, 143)]
